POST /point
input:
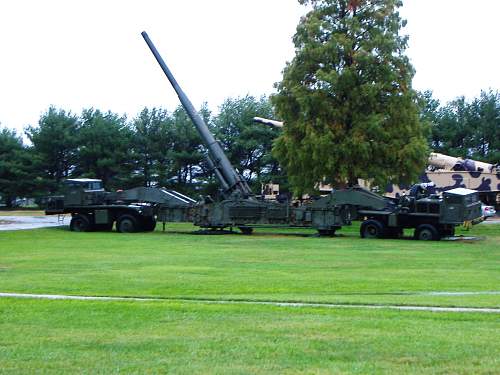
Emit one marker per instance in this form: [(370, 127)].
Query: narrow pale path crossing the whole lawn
[(271, 303)]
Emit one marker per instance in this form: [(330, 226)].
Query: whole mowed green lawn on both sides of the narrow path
[(183, 333)]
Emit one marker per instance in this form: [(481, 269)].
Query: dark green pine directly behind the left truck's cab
[(104, 150)]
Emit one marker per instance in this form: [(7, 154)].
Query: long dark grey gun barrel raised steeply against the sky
[(231, 180)]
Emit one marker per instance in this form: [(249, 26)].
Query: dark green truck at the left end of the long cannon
[(134, 210)]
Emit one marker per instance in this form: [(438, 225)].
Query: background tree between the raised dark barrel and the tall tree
[(247, 144)]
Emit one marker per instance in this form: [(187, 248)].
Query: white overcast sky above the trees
[(89, 53)]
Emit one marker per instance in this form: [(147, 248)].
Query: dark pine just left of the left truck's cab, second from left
[(54, 145)]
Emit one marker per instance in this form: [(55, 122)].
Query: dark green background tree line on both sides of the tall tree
[(162, 148)]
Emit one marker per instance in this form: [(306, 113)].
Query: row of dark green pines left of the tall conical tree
[(155, 148)]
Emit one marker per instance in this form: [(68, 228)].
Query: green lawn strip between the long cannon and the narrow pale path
[(267, 266)]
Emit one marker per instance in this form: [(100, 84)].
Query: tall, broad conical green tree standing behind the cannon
[(346, 98)]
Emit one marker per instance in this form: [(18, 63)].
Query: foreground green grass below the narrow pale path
[(161, 337)]
